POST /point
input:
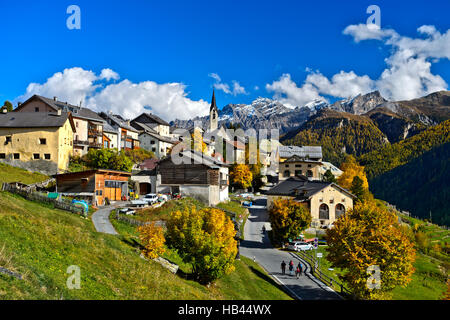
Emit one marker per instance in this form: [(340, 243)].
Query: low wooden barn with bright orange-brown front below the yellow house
[(94, 185)]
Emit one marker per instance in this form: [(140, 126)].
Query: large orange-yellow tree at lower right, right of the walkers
[(370, 236)]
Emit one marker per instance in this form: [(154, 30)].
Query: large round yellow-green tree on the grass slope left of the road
[(205, 239)]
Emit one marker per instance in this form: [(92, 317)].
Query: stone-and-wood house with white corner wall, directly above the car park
[(203, 177)]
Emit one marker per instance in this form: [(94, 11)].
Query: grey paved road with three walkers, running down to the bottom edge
[(257, 245)]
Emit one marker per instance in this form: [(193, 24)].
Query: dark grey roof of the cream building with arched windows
[(302, 189)]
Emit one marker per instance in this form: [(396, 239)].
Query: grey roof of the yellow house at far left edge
[(35, 120)]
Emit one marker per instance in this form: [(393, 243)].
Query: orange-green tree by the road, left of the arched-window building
[(288, 218)]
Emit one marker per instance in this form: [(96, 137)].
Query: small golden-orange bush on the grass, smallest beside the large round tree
[(152, 239)]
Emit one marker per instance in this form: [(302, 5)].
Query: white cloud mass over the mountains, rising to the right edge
[(407, 75)]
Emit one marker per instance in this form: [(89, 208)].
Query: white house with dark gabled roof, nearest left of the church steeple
[(154, 134)]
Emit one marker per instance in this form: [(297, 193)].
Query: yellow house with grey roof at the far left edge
[(37, 141)]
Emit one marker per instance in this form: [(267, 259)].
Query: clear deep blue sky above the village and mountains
[(253, 43)]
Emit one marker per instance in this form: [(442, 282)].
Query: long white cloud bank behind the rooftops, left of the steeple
[(167, 100)]
